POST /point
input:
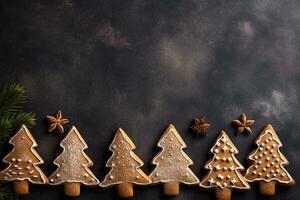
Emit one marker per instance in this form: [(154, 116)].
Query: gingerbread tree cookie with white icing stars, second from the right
[(224, 174)]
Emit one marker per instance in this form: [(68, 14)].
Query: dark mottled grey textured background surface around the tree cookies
[(140, 65)]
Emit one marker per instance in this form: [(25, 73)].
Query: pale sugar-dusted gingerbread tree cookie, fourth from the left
[(172, 164)]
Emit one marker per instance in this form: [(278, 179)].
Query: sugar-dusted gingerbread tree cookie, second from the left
[(73, 165)]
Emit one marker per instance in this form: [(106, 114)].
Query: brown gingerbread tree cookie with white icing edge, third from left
[(125, 166)]
